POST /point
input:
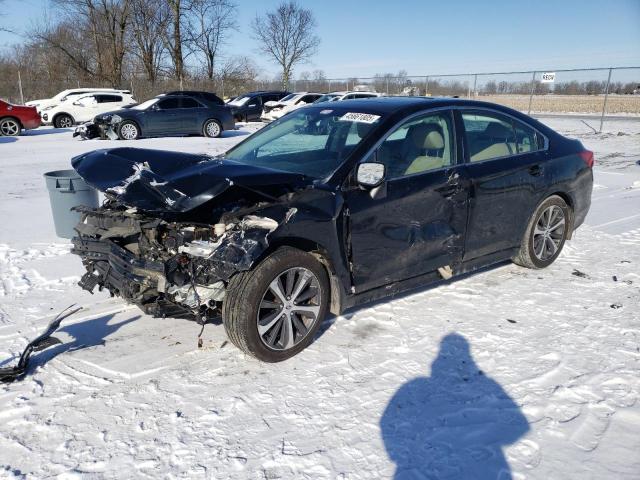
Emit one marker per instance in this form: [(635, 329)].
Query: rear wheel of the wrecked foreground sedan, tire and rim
[(539, 242)]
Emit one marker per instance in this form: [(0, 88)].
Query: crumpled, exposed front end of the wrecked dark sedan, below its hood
[(166, 268)]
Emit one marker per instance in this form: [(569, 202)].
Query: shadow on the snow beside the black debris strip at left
[(89, 333)]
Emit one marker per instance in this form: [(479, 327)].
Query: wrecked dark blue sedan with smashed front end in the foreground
[(331, 206)]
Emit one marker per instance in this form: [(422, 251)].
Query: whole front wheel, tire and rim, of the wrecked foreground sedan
[(273, 311)]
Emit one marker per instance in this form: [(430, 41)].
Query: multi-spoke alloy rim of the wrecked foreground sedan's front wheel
[(289, 308)]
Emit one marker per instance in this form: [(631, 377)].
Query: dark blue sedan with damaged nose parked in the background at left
[(164, 115)]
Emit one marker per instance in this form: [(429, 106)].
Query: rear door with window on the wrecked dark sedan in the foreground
[(505, 163)]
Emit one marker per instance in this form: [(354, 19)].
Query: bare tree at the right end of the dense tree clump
[(211, 23)]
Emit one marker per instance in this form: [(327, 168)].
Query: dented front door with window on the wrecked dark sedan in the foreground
[(415, 221)]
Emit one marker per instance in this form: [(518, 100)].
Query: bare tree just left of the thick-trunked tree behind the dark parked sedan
[(150, 20)]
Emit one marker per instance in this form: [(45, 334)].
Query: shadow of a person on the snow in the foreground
[(452, 424)]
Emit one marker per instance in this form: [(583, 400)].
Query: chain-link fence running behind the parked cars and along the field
[(595, 92)]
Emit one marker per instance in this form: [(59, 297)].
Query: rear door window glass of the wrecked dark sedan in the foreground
[(488, 135)]
